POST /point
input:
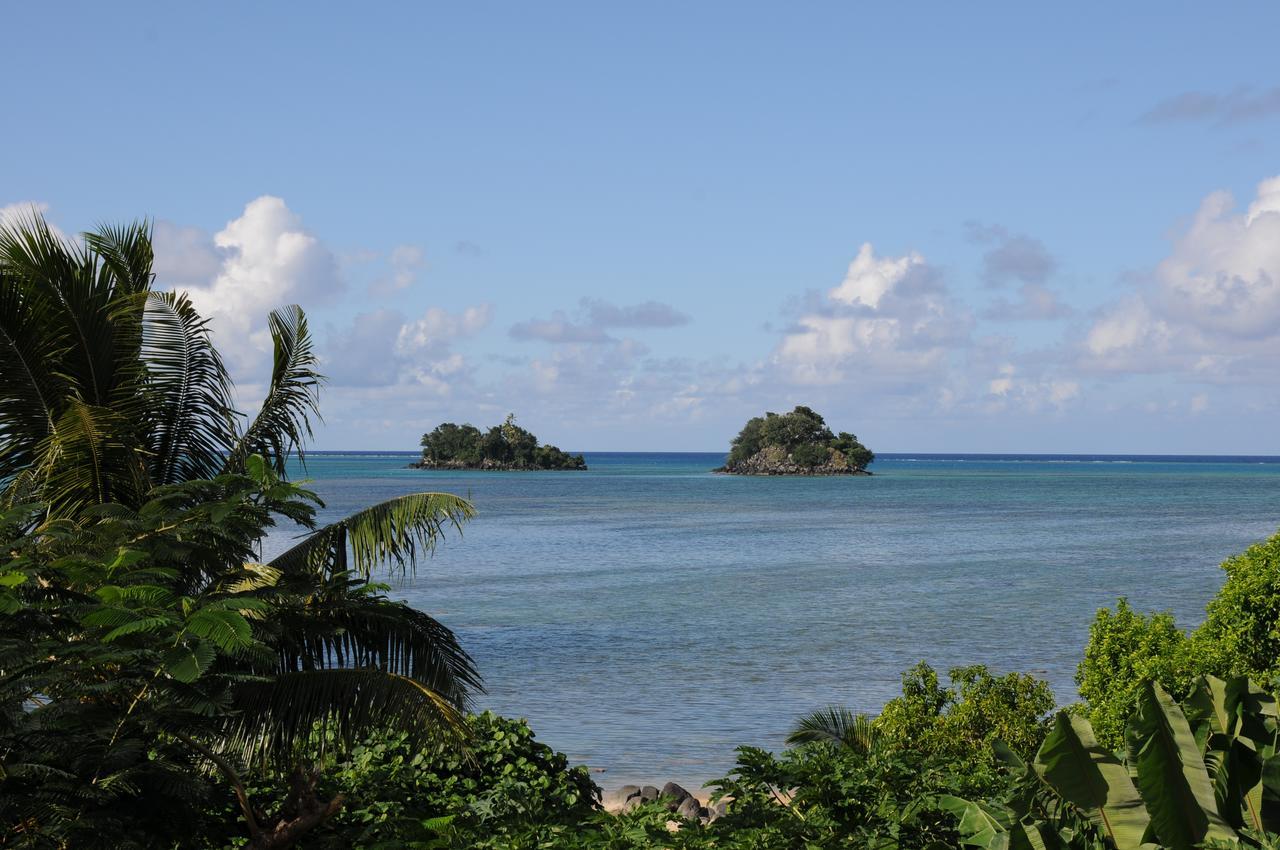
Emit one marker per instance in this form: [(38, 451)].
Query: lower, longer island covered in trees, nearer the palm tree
[(505, 447)]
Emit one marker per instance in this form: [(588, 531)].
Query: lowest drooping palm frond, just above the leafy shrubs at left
[(275, 719)]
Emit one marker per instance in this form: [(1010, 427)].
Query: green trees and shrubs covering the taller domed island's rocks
[(801, 437)]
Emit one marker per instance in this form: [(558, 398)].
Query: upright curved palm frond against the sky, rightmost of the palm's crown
[(284, 424)]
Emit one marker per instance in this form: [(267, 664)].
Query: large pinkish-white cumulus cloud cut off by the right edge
[(1212, 309)]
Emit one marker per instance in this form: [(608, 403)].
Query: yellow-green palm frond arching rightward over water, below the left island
[(396, 531)]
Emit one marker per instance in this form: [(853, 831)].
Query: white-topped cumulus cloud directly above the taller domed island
[(890, 318)]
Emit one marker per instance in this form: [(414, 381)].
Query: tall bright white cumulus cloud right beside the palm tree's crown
[(259, 262)]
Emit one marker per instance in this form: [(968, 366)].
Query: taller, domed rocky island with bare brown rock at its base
[(796, 444)]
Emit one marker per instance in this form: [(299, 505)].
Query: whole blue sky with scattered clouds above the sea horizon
[(947, 227)]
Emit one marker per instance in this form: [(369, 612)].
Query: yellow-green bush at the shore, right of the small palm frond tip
[(964, 719)]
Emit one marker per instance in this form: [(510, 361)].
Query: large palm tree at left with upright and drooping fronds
[(115, 395)]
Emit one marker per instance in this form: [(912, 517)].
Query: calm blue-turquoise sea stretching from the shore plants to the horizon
[(648, 616)]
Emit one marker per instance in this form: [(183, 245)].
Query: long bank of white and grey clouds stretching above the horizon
[(890, 342)]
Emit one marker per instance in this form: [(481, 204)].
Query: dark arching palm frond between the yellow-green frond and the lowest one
[(372, 632)]
